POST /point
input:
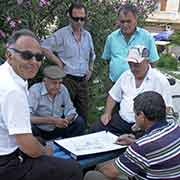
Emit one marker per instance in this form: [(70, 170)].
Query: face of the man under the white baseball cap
[(139, 69)]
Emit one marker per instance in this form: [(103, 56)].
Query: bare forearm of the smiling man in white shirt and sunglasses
[(30, 146)]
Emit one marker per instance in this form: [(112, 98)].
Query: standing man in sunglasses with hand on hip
[(75, 50)]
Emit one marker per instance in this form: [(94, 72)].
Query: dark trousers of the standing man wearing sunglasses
[(78, 90)]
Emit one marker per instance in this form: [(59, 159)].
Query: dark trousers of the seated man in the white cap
[(117, 126)]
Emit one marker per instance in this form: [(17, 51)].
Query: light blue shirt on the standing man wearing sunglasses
[(76, 56)]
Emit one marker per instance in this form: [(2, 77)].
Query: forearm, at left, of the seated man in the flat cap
[(42, 120)]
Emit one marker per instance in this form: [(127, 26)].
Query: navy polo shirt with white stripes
[(154, 156)]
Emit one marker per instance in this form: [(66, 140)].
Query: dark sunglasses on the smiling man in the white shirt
[(28, 55)]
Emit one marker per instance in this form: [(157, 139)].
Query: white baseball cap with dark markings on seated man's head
[(137, 54)]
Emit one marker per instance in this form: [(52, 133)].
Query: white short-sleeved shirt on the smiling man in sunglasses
[(14, 110)]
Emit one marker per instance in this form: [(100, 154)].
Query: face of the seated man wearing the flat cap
[(52, 86)]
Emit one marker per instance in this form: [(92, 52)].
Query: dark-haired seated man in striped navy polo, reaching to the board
[(156, 155)]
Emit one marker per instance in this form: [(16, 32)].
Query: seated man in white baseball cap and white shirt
[(141, 77)]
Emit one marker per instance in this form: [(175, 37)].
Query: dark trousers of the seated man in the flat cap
[(77, 128)]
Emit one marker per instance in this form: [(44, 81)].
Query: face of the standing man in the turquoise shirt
[(127, 23)]
